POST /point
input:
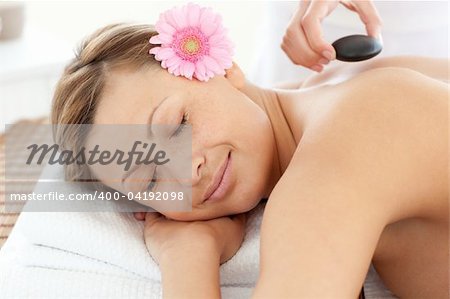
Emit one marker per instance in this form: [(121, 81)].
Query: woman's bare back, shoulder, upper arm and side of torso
[(369, 180)]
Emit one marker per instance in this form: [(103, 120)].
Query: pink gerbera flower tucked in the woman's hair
[(193, 42)]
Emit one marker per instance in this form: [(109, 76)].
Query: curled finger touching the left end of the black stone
[(312, 27)]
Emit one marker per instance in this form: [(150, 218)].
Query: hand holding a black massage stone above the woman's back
[(303, 41)]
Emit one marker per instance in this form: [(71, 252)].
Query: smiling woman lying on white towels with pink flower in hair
[(353, 163)]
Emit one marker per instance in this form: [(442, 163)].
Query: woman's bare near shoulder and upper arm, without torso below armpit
[(373, 152)]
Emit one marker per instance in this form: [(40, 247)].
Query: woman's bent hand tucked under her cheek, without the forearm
[(218, 238)]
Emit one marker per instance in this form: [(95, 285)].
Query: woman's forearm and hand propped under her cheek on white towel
[(189, 253)]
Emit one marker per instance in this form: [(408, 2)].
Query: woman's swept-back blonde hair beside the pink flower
[(80, 87)]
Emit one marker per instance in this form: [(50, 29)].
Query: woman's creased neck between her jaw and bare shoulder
[(285, 144)]
